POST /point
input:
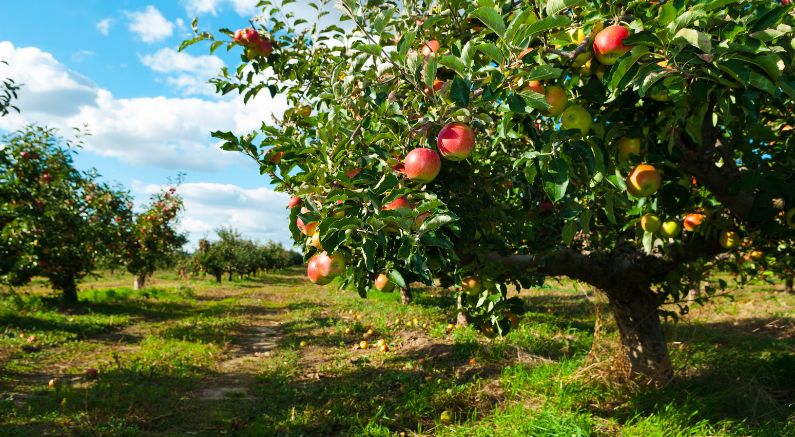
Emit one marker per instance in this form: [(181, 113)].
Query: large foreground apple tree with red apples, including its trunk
[(482, 144)]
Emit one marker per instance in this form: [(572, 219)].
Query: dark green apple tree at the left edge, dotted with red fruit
[(55, 221)]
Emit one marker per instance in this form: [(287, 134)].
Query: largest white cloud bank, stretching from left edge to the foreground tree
[(169, 133)]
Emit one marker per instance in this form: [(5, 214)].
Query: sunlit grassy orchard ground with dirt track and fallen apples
[(192, 357)]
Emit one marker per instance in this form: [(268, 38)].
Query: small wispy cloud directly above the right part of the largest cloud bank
[(187, 73)]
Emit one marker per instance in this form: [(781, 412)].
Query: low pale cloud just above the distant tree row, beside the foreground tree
[(258, 213)]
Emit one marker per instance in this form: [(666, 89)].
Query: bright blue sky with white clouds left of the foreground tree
[(114, 66)]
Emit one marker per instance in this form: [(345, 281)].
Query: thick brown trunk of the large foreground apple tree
[(635, 313)]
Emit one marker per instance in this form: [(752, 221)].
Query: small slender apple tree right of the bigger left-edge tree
[(154, 240)]
